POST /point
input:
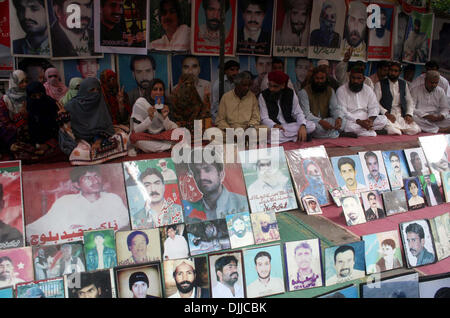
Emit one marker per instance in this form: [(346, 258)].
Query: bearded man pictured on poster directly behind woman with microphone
[(143, 68)]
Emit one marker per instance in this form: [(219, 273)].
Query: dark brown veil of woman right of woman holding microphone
[(187, 104)]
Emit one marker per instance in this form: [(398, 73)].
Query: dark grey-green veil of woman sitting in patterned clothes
[(88, 112)]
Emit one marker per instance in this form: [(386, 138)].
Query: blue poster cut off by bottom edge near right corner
[(404, 286)]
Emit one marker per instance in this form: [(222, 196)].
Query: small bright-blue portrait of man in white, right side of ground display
[(396, 167)]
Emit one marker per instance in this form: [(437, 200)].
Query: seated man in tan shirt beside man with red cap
[(239, 107)]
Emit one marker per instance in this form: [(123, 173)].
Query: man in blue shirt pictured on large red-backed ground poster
[(217, 201)]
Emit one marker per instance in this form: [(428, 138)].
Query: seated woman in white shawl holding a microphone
[(150, 124)]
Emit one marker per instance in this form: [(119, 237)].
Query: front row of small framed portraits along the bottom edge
[(46, 271)]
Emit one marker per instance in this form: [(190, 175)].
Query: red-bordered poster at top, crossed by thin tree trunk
[(205, 30)]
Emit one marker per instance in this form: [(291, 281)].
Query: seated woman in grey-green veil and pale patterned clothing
[(91, 124)]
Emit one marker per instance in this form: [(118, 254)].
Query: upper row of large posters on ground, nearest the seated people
[(155, 193)]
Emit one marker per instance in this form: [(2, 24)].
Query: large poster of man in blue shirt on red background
[(211, 190)]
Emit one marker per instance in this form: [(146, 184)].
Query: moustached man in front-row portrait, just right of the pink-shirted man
[(344, 262)]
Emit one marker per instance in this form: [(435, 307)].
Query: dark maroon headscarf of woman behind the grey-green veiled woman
[(111, 97)]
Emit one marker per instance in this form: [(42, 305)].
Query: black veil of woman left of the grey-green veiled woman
[(42, 114)]
